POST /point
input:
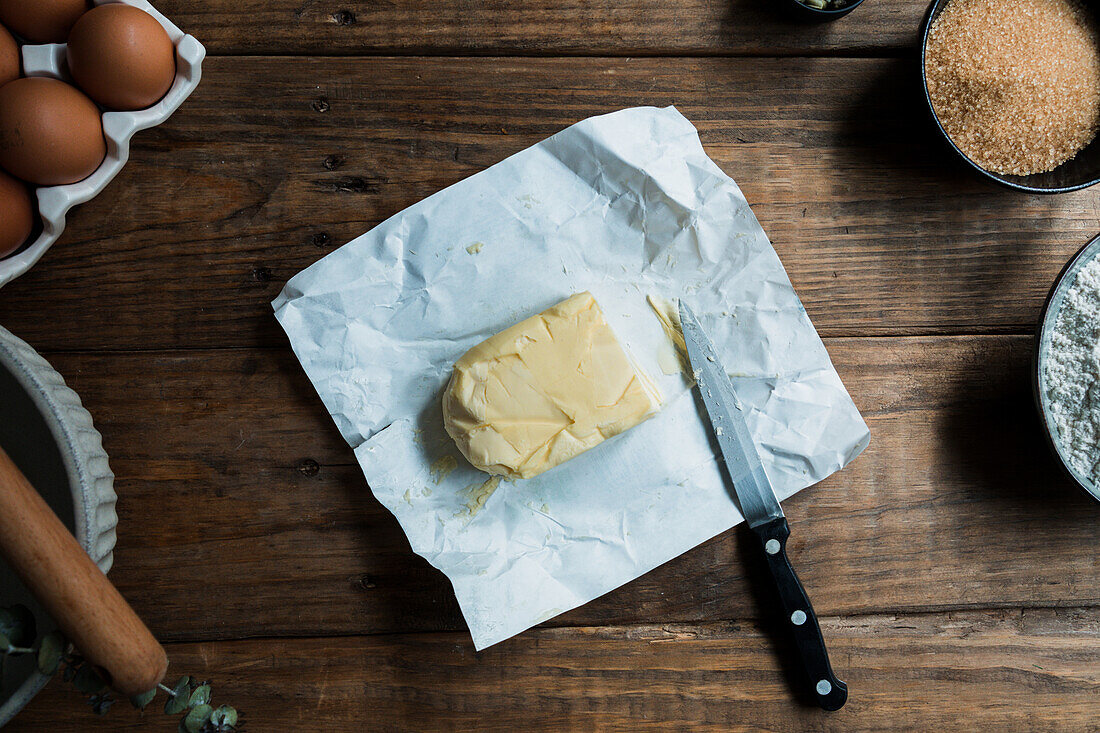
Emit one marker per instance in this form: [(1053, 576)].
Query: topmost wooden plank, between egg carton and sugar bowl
[(635, 28)]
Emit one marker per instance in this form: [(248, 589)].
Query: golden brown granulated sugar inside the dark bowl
[(1016, 83)]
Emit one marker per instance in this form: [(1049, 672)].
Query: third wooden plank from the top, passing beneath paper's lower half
[(236, 487)]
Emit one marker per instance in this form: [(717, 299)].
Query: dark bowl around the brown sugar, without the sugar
[(1080, 172)]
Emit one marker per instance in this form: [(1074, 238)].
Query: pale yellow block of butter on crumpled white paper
[(546, 390)]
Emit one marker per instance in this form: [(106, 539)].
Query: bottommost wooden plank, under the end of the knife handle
[(1002, 671)]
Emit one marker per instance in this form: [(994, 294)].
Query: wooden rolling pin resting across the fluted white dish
[(87, 608)]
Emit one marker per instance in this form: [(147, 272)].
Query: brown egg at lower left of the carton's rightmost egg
[(50, 134)]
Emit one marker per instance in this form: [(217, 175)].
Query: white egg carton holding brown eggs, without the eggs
[(119, 128)]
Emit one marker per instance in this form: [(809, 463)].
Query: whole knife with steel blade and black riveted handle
[(761, 509)]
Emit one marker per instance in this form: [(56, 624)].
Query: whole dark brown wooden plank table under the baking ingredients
[(955, 572)]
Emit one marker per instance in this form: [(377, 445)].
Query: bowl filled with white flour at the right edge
[(1068, 368)]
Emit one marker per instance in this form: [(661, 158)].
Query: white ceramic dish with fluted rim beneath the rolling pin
[(51, 437)]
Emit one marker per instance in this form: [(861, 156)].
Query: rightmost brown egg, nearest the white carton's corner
[(123, 58)]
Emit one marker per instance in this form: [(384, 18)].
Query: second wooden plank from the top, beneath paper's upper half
[(277, 161)]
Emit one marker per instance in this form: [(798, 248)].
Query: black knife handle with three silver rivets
[(830, 693)]
